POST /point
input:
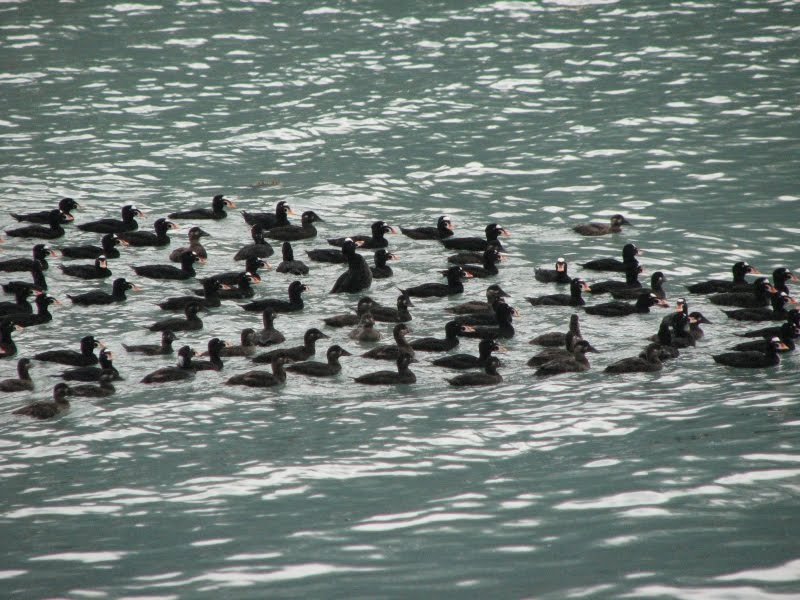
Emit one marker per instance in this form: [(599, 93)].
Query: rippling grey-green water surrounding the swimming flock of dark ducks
[(536, 115)]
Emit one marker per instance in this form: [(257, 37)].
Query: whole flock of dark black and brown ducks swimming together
[(489, 321)]
